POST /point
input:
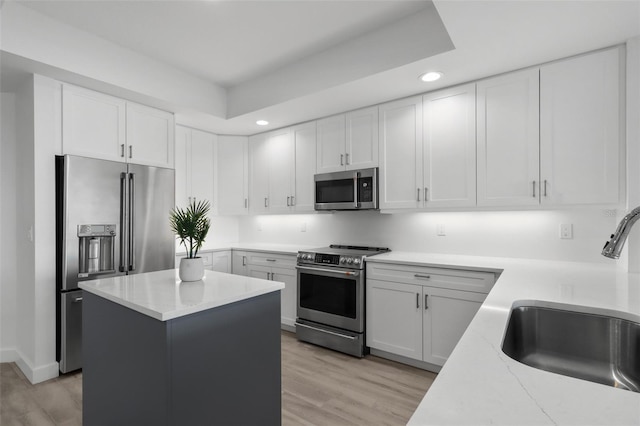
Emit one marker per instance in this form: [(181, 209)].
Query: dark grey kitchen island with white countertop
[(157, 351)]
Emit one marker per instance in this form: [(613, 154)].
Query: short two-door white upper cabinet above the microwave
[(348, 141)]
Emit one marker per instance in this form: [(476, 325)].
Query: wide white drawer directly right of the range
[(454, 279)]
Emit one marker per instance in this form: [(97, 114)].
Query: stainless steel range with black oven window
[(331, 300)]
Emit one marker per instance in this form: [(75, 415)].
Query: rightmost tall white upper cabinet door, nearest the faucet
[(580, 122)]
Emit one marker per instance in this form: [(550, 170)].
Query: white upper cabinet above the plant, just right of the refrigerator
[(194, 166)]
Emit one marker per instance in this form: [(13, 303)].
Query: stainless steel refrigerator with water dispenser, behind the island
[(111, 219)]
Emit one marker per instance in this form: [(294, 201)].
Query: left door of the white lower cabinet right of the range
[(394, 318)]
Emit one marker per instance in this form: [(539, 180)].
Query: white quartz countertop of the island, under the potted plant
[(161, 295)]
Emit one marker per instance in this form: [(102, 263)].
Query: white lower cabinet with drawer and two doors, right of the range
[(421, 314)]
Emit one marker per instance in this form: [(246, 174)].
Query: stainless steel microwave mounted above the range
[(349, 190)]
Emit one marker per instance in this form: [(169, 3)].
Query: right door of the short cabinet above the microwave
[(362, 139)]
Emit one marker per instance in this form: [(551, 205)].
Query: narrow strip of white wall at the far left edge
[(8, 242)]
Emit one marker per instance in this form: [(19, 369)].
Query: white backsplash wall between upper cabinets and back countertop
[(530, 234)]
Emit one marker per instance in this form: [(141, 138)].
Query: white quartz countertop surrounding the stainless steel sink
[(480, 385)]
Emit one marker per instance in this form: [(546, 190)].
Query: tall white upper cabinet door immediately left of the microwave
[(304, 137)]
